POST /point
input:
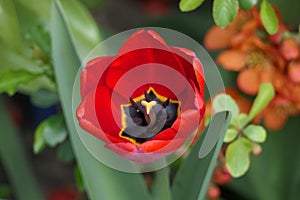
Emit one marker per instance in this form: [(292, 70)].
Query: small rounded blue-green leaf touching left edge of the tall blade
[(53, 130)]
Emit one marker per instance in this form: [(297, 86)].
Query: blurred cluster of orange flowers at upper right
[(259, 58)]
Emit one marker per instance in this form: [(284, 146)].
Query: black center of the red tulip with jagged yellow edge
[(146, 116)]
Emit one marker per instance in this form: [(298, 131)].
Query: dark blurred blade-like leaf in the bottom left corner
[(14, 160)]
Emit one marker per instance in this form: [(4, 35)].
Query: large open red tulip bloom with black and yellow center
[(145, 101)]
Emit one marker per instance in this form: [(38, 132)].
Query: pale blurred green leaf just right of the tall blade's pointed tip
[(80, 20)]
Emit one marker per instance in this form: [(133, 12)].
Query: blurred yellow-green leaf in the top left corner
[(9, 25)]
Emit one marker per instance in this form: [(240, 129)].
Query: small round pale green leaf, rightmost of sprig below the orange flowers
[(255, 133)]
